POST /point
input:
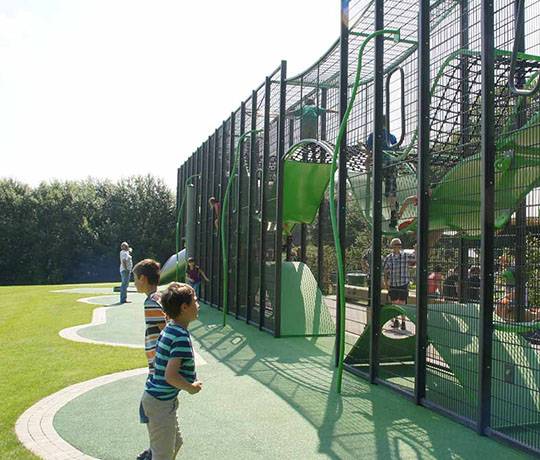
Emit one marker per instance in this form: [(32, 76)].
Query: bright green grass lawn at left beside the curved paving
[(37, 362)]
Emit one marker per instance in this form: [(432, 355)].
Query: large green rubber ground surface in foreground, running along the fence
[(272, 398)]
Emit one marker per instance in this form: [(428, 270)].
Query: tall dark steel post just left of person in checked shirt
[(375, 292)]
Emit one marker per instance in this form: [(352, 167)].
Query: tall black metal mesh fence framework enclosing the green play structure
[(210, 159)]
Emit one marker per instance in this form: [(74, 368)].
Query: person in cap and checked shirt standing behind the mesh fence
[(396, 277)]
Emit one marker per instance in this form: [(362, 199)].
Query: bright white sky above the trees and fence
[(113, 88)]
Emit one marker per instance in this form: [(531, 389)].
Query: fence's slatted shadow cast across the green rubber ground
[(365, 421)]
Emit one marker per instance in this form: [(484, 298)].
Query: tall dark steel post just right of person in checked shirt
[(424, 104)]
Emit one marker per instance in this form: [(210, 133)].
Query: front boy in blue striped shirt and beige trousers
[(174, 370)]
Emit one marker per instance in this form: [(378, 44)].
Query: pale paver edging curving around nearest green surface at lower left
[(35, 429)]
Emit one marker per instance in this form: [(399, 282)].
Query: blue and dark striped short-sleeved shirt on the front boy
[(174, 342)]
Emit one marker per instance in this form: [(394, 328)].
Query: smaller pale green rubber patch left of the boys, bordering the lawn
[(125, 323)]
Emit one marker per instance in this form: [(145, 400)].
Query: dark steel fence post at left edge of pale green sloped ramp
[(279, 197)]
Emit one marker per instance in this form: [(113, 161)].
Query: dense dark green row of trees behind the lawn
[(70, 231)]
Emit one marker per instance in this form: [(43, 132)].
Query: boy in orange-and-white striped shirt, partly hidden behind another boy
[(146, 276)]
